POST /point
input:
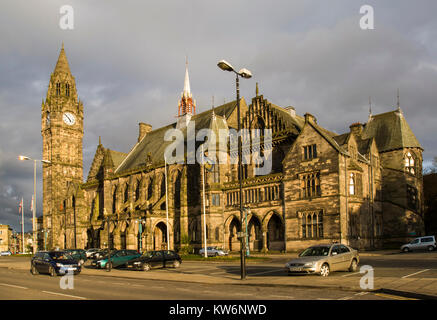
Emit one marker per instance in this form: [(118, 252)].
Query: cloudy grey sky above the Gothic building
[(128, 58)]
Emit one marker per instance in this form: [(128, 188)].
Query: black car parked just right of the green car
[(156, 259)]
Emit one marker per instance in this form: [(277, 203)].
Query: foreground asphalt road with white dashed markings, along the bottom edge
[(20, 284)]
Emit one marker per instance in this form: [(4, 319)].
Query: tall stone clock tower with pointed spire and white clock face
[(62, 134)]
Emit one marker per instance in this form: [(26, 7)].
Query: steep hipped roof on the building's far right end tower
[(391, 131)]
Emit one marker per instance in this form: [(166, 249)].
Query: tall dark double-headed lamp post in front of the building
[(246, 74)]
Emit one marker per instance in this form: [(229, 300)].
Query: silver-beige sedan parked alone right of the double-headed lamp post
[(323, 259)]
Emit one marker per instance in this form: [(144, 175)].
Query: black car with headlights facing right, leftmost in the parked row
[(54, 263)]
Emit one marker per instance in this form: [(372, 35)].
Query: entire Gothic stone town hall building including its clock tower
[(363, 188)]
